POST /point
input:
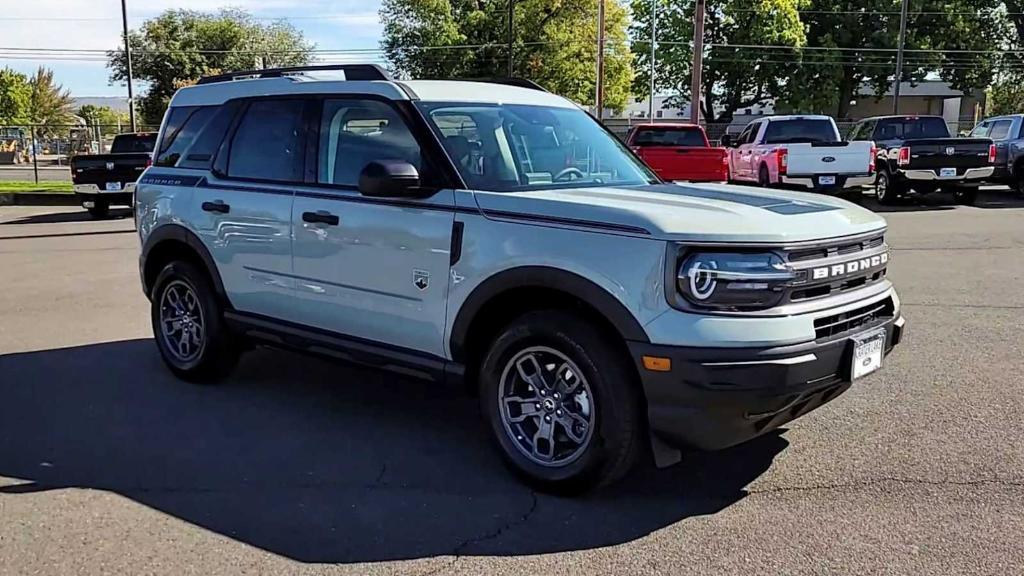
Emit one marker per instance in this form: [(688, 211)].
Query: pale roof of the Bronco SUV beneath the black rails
[(426, 91)]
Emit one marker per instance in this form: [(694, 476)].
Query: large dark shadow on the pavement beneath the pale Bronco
[(320, 463)]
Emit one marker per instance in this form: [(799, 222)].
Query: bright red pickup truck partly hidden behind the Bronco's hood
[(679, 152)]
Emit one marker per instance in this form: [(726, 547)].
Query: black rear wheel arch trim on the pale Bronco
[(172, 242)]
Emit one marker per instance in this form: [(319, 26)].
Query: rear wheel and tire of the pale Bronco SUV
[(205, 359)]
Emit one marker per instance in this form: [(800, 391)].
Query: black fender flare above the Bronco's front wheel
[(543, 277)]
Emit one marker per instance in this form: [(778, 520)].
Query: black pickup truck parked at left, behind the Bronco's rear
[(105, 180)]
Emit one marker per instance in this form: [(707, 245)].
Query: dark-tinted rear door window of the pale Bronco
[(270, 144)]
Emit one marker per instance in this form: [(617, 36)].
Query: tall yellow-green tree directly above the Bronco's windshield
[(554, 44)]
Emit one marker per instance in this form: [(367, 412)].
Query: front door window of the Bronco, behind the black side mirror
[(354, 134)]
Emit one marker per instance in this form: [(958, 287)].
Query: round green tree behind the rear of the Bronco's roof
[(180, 47)]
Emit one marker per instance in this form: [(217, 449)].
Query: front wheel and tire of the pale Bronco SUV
[(602, 382)]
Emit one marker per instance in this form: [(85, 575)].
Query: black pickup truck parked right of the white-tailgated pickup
[(917, 153)]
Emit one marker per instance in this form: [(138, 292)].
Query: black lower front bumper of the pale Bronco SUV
[(716, 398)]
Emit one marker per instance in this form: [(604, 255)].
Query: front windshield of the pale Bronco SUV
[(505, 148)]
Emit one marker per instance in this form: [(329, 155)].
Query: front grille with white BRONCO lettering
[(829, 255)]
